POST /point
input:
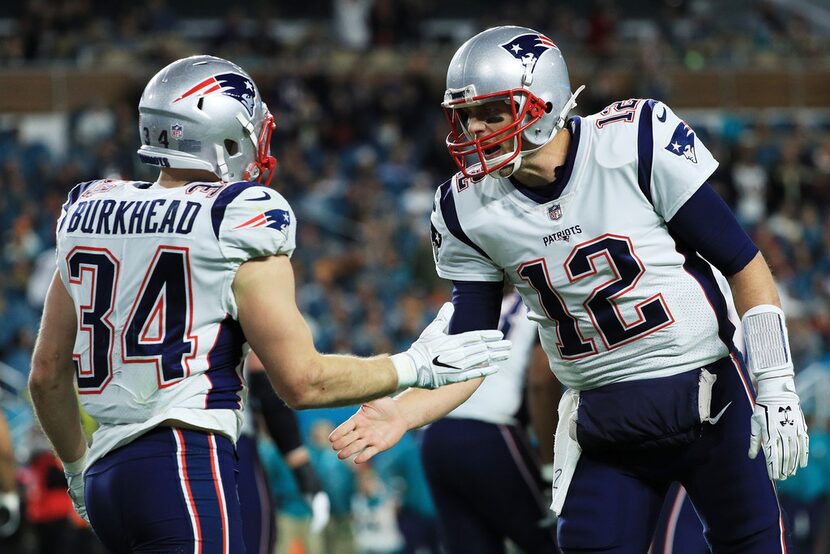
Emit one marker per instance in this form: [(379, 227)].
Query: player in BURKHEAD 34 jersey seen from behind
[(159, 289)]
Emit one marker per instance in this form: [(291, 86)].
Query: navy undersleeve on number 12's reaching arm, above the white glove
[(477, 305)]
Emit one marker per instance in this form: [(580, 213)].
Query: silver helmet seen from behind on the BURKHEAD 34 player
[(204, 112)]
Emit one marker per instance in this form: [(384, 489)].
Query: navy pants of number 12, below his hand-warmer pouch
[(614, 501)]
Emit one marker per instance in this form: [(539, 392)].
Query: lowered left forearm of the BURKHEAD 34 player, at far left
[(56, 407)]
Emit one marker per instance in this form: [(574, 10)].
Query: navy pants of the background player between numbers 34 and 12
[(486, 486)]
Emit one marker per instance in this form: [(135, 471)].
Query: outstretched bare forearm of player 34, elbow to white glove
[(339, 380)]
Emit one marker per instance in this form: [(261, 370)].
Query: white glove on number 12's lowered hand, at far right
[(778, 425)]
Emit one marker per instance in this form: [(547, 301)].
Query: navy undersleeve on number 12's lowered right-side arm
[(707, 225)]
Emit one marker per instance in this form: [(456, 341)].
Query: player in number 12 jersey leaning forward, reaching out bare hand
[(604, 224)]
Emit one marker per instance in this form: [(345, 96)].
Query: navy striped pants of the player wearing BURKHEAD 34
[(170, 491)]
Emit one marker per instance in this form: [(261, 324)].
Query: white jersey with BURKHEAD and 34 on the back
[(150, 272)]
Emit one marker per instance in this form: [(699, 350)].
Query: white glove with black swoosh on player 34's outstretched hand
[(437, 359)]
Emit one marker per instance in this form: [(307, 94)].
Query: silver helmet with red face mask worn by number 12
[(515, 65)]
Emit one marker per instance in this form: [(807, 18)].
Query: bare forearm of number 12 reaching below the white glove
[(420, 406)]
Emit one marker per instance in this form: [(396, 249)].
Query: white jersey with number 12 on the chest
[(616, 297)]
